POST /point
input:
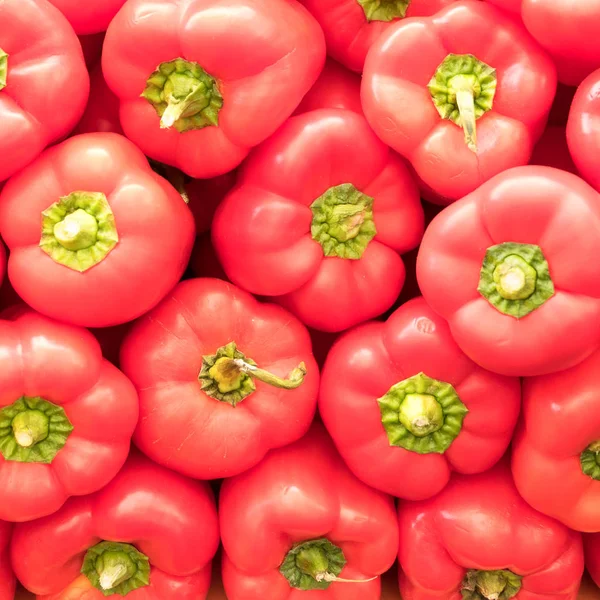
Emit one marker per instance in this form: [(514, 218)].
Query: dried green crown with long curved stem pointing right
[(228, 375)]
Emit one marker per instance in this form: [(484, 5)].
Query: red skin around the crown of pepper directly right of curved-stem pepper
[(364, 364)]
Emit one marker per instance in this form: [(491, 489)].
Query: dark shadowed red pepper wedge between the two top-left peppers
[(102, 110)]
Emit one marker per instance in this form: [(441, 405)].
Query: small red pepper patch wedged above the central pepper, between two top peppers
[(336, 87)]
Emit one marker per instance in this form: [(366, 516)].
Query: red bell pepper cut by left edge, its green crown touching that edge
[(66, 415)]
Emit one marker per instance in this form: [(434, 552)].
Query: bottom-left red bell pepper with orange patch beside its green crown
[(150, 534)]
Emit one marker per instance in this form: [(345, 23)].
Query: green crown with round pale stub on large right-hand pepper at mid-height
[(515, 278)]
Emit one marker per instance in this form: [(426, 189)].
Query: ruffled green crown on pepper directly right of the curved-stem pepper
[(422, 415)]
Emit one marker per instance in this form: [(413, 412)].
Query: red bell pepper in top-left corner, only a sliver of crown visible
[(44, 83)]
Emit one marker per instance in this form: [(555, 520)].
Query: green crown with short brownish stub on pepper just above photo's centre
[(343, 221)]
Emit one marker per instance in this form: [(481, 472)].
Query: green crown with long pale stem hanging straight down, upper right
[(462, 90)]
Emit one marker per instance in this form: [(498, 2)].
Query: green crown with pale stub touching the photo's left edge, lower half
[(33, 430)]
